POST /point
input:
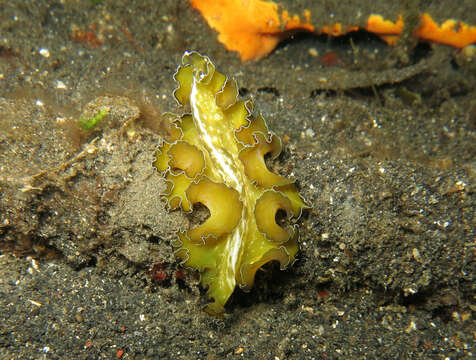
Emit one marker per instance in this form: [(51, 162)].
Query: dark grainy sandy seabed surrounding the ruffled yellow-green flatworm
[(381, 143)]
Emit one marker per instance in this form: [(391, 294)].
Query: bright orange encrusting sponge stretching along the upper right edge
[(253, 28)]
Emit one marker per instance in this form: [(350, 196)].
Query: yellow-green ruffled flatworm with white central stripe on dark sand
[(215, 156)]
